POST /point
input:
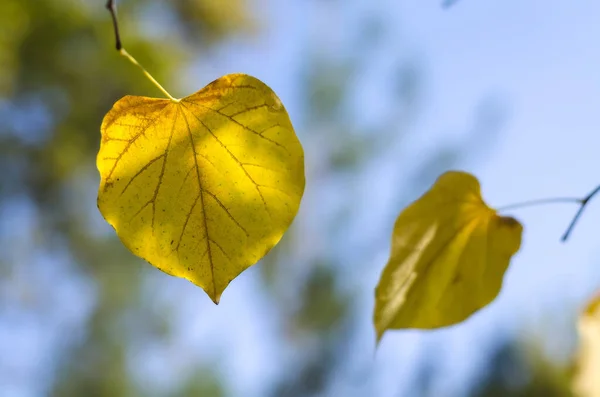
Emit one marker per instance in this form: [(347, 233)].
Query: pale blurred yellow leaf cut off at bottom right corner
[(587, 377)]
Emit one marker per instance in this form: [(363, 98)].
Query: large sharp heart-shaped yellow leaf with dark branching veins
[(204, 187)]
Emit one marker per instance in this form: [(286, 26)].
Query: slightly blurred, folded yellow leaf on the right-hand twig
[(448, 257)]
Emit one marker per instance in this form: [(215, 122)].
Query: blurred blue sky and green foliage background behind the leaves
[(384, 95)]
